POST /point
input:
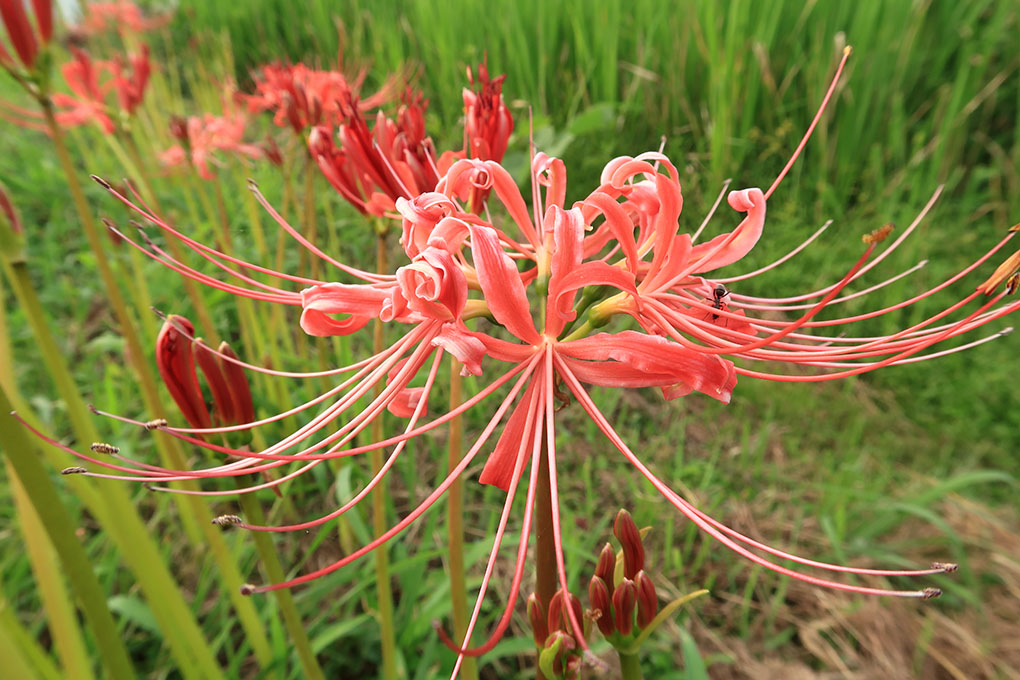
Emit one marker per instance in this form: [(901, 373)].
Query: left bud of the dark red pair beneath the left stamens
[(177, 367)]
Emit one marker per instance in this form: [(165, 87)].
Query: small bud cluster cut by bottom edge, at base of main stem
[(560, 654)]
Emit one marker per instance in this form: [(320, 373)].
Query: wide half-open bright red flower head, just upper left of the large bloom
[(373, 169)]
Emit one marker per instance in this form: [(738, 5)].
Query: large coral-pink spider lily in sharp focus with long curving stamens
[(534, 278)]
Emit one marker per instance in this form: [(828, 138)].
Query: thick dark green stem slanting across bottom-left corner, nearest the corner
[(29, 467)]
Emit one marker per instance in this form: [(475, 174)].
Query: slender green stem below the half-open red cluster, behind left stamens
[(387, 634)]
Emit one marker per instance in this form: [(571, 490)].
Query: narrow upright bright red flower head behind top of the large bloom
[(488, 124)]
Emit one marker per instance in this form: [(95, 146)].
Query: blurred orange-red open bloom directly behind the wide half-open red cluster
[(303, 97)]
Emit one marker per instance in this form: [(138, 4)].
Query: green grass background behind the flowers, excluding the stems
[(863, 472)]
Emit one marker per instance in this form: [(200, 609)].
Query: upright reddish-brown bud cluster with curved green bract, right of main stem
[(625, 604)]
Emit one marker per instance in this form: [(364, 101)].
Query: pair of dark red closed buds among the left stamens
[(177, 355)]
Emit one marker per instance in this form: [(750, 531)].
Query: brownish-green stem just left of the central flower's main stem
[(455, 527)]
